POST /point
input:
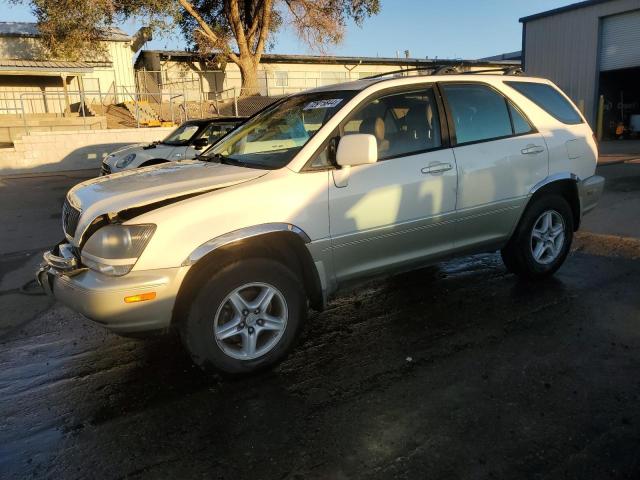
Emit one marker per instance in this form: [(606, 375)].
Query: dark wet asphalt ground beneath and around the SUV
[(455, 371)]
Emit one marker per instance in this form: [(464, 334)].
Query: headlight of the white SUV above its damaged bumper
[(115, 249)]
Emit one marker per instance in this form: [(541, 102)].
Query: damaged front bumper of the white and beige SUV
[(101, 298)]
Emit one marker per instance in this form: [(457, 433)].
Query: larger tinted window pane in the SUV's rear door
[(479, 113)]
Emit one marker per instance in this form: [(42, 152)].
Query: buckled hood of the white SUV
[(149, 185)]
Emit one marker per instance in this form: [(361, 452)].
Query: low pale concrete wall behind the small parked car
[(70, 150)]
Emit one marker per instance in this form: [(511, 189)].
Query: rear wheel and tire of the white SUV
[(542, 240)]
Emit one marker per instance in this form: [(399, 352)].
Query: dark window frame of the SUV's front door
[(445, 139)]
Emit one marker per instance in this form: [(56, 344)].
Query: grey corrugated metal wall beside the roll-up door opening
[(565, 49)]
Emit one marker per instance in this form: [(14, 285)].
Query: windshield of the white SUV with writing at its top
[(272, 138)]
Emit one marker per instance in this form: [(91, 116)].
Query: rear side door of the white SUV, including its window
[(500, 157)]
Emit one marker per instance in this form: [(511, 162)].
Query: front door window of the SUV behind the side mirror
[(403, 123)]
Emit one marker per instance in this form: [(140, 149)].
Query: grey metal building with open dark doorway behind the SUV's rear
[(591, 50)]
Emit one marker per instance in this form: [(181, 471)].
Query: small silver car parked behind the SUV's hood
[(184, 143)]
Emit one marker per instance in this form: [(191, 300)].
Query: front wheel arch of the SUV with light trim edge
[(282, 242)]
